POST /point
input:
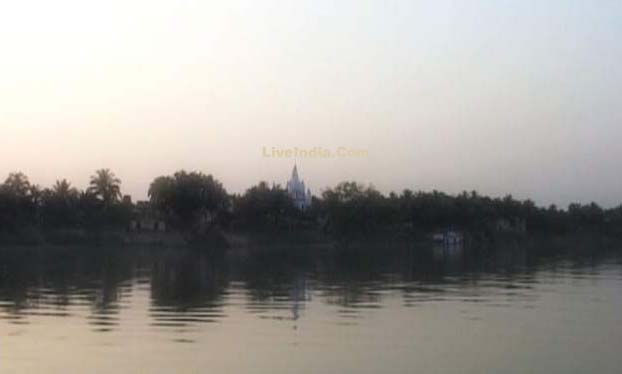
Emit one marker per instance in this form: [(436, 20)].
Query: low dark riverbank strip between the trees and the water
[(242, 241)]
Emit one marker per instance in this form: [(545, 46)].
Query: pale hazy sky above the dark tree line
[(521, 97)]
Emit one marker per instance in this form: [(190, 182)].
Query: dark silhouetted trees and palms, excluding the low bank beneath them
[(196, 201)]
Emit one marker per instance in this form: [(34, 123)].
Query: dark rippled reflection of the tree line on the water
[(189, 287)]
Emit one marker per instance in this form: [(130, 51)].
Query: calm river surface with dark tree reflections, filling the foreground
[(309, 310)]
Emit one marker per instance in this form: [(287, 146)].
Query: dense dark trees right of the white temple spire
[(353, 208)]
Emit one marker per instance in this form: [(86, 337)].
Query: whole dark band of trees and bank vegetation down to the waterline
[(194, 209)]
